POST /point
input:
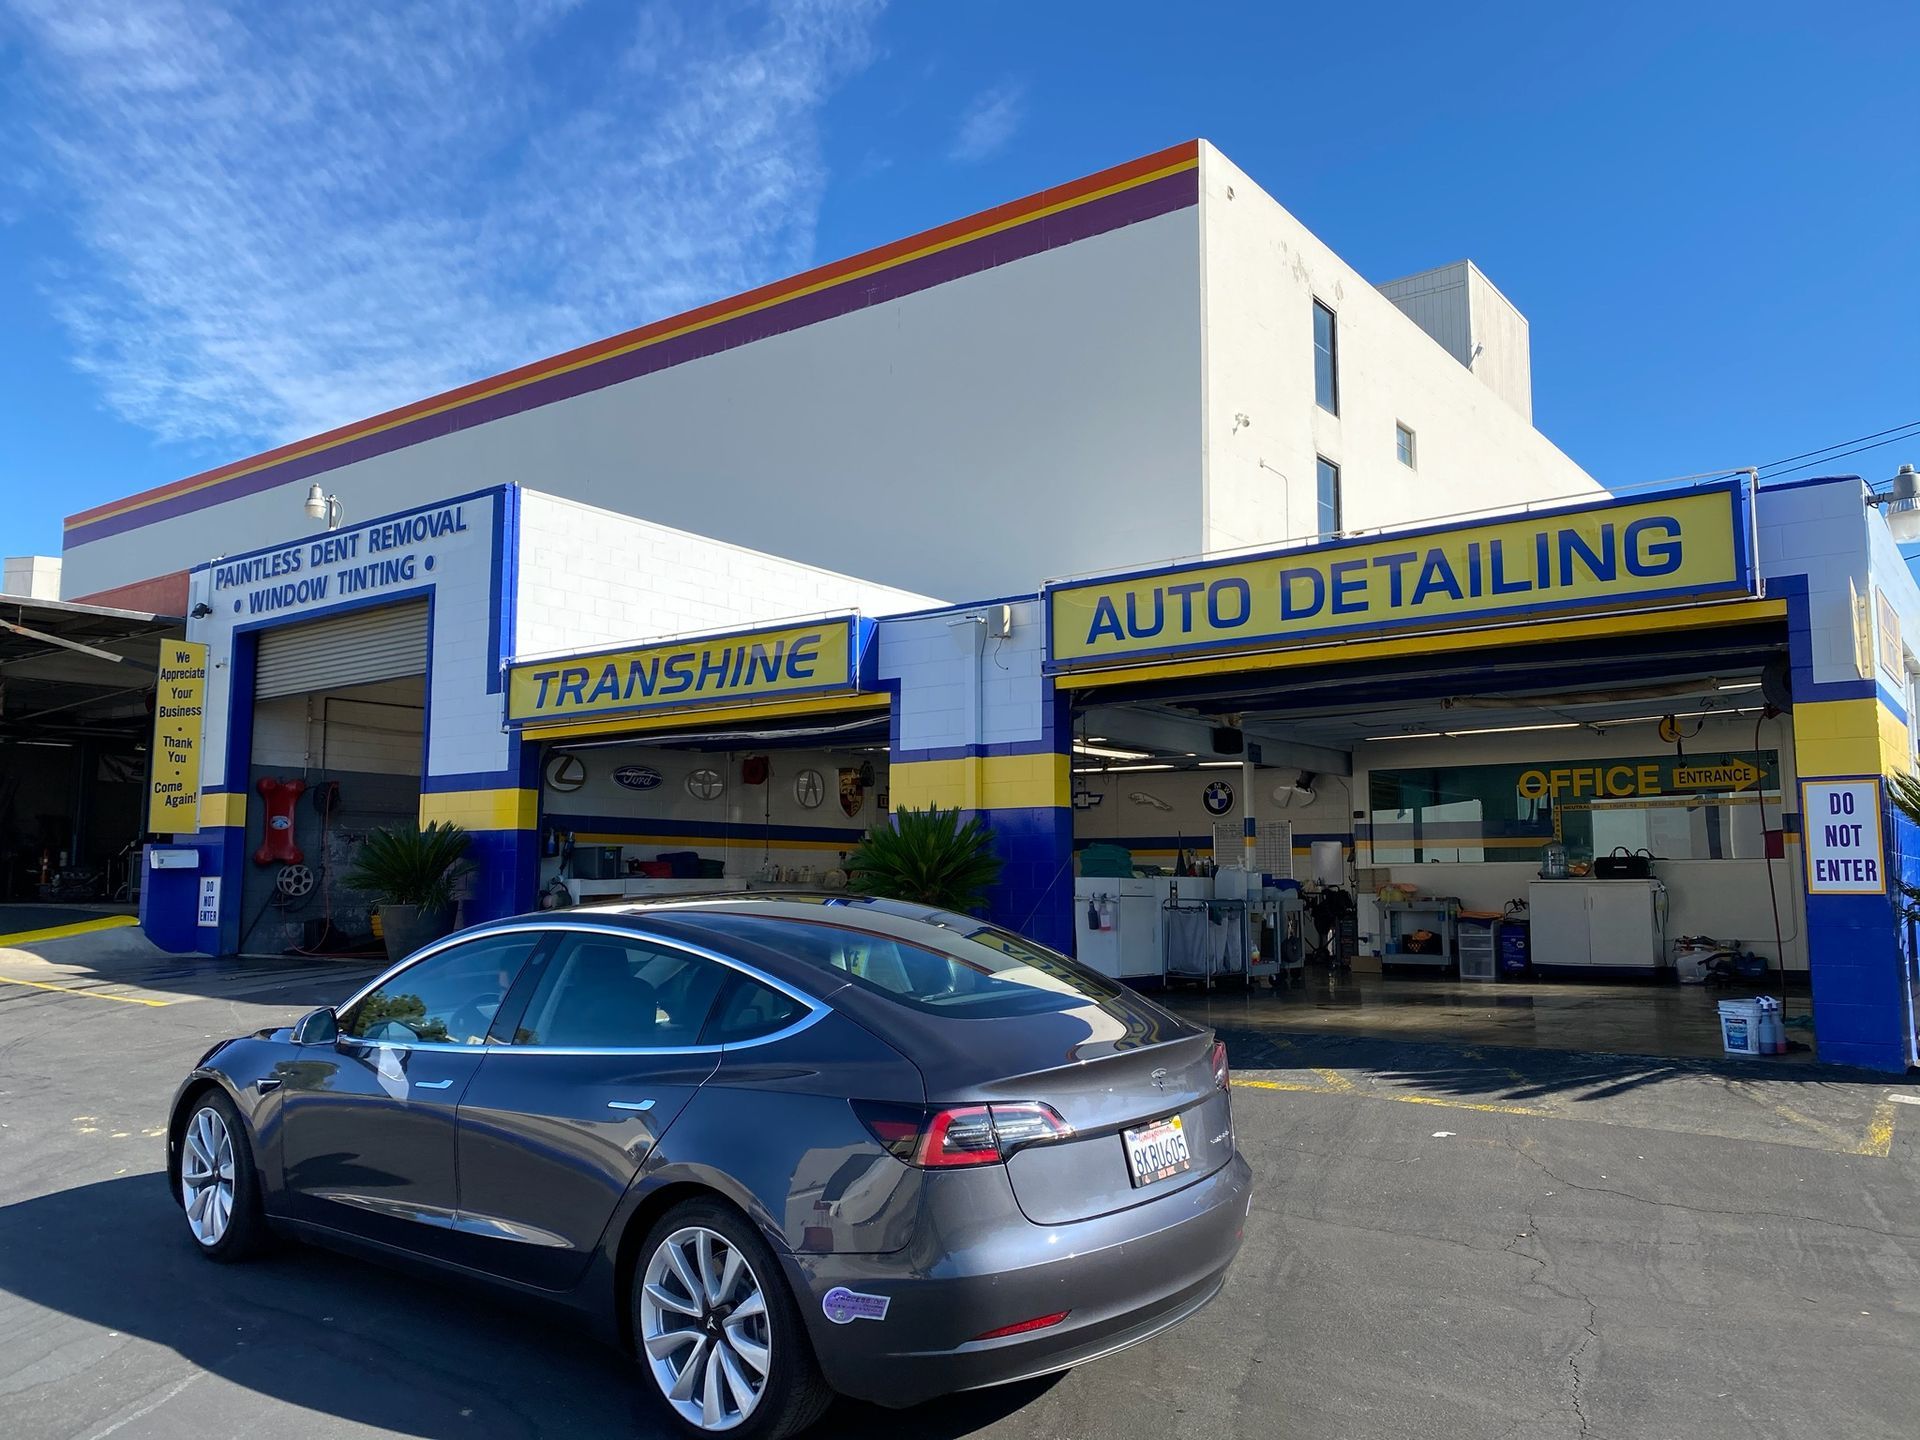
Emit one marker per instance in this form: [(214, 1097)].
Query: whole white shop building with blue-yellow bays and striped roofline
[(604, 613)]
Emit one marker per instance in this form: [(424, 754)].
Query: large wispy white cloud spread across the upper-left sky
[(297, 216)]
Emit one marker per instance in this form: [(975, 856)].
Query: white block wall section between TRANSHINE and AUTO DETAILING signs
[(965, 686)]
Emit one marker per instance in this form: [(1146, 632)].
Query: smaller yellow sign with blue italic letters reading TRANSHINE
[(709, 671)]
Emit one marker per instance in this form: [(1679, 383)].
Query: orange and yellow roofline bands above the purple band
[(946, 237)]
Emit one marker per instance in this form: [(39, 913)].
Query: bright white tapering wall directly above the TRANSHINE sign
[(592, 579)]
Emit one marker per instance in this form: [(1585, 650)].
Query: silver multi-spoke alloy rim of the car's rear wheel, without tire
[(706, 1330)]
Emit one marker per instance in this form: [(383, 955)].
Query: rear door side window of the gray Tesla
[(610, 994)]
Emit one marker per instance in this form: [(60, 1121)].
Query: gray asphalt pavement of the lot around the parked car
[(1445, 1243)]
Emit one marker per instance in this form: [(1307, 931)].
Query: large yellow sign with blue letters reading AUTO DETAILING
[(1614, 554)]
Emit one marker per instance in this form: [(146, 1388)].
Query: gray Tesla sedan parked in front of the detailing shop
[(773, 1149)]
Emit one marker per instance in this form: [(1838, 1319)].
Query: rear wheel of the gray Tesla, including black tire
[(717, 1328)]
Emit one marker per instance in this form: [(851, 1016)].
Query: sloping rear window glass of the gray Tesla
[(980, 972)]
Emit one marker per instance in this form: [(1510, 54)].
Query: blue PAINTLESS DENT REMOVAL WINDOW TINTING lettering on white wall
[(343, 565)]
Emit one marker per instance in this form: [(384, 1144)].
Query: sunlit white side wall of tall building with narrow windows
[(1262, 274)]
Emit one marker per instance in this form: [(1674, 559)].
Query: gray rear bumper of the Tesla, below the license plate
[(1122, 1278)]
